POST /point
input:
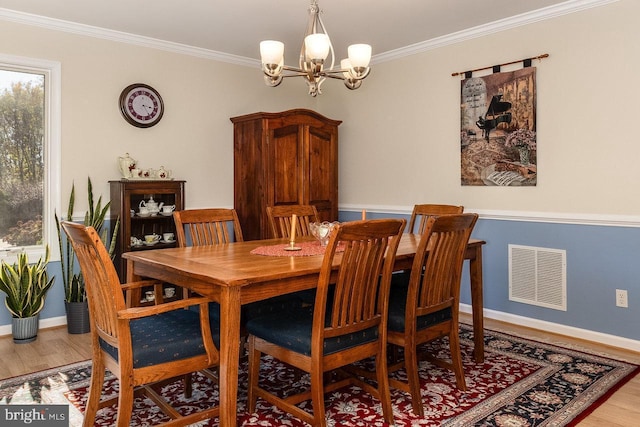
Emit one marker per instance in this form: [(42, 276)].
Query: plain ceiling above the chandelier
[(236, 27)]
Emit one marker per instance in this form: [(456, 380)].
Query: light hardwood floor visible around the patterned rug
[(55, 347)]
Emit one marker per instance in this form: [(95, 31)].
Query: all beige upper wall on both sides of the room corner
[(399, 137)]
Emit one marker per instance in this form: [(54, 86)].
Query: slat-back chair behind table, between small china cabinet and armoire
[(212, 226)]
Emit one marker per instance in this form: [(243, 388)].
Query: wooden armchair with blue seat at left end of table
[(144, 347)]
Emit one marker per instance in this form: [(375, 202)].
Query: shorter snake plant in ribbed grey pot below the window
[(26, 286)]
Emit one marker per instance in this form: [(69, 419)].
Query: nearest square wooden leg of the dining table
[(229, 355)]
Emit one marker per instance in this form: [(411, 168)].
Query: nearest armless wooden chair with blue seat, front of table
[(336, 331)]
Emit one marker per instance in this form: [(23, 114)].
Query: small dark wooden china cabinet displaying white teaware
[(127, 196)]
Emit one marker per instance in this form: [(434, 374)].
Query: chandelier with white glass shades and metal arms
[(315, 49)]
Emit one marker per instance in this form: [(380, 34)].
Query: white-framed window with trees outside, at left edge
[(29, 156)]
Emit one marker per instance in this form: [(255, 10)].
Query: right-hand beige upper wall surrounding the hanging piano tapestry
[(404, 121)]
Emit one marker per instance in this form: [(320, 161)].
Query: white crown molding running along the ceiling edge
[(570, 6)]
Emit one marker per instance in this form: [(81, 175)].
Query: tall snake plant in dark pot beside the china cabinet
[(73, 282)]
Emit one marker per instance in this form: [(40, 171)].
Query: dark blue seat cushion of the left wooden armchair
[(166, 337)]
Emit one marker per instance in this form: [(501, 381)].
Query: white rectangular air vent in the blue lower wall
[(538, 276)]
